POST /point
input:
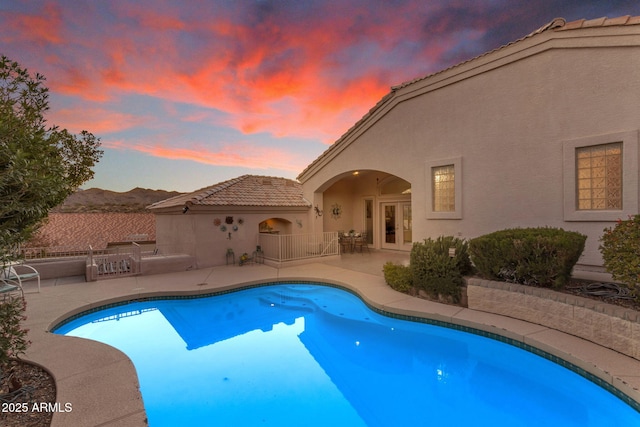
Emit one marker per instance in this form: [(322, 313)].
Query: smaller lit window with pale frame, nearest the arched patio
[(444, 188)]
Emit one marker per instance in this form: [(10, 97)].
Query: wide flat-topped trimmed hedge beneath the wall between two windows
[(531, 256)]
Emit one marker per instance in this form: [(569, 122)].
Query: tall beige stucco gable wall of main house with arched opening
[(506, 116)]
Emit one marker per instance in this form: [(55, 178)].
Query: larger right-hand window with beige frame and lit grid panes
[(601, 177)]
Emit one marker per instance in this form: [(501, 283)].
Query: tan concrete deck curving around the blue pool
[(101, 384)]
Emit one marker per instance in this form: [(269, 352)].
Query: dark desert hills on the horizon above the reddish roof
[(96, 200)]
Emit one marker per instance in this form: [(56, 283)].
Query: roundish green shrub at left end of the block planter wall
[(437, 266)]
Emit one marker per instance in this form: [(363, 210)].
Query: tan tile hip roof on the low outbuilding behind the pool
[(246, 190)]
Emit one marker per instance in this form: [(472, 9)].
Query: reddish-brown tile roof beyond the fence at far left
[(79, 230)]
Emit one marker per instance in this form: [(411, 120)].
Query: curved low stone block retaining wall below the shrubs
[(611, 326)]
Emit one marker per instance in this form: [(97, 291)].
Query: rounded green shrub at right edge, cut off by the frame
[(620, 248)]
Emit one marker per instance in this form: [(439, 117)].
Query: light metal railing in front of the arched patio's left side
[(291, 247)]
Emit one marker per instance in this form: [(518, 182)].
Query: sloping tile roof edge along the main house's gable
[(558, 24)]
